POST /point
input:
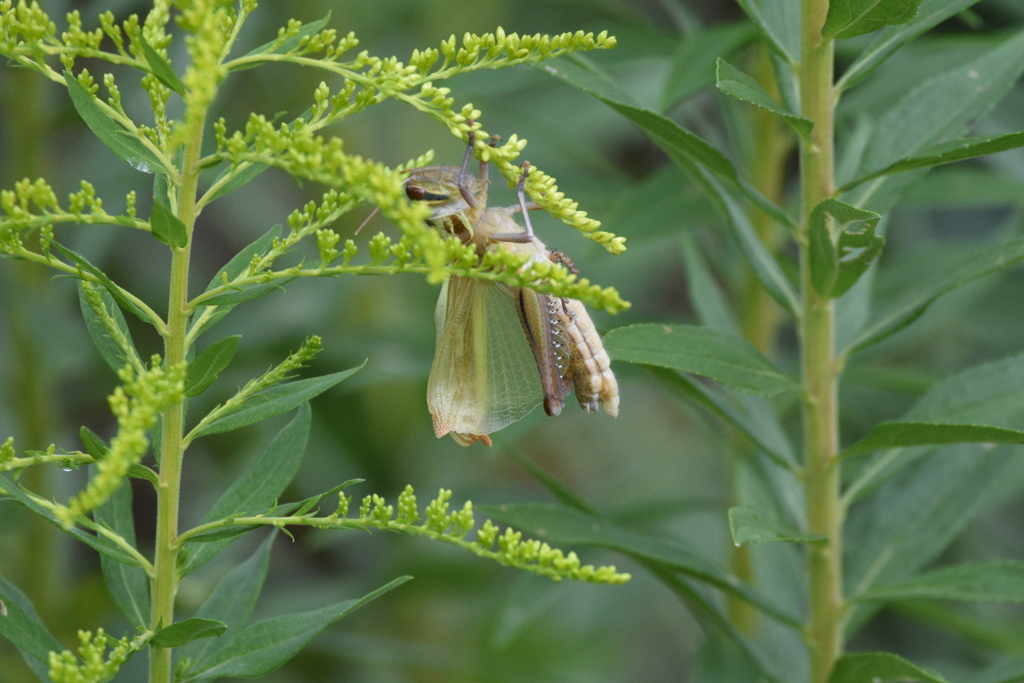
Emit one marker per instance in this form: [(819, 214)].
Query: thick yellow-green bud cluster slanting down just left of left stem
[(137, 405)]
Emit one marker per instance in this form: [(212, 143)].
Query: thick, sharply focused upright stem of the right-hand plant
[(825, 511)]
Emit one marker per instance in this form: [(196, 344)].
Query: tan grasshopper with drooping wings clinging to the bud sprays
[(484, 376)]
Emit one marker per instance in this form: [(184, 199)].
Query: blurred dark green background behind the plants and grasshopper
[(660, 467)]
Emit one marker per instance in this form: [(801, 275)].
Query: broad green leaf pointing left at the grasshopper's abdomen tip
[(734, 362)]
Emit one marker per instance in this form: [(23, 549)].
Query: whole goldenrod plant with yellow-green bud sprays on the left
[(152, 406)]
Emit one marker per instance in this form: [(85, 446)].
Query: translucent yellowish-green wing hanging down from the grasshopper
[(484, 376)]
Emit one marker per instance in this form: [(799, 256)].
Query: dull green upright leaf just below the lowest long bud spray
[(234, 601)]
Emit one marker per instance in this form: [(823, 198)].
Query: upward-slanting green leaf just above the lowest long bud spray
[(261, 486)]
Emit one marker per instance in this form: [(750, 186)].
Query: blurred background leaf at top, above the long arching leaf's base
[(694, 66)]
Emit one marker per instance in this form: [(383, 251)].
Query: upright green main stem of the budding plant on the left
[(165, 585)]
